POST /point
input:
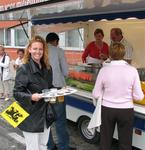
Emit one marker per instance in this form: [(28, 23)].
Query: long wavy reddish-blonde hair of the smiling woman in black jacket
[(44, 60)]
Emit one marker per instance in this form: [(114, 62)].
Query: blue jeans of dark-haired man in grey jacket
[(61, 128)]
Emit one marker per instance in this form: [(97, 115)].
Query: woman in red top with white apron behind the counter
[(96, 51)]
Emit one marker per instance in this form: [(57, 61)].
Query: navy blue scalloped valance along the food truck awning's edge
[(84, 18)]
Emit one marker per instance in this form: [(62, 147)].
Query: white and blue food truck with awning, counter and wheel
[(60, 16)]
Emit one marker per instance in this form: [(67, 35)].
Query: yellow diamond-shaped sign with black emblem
[(14, 114)]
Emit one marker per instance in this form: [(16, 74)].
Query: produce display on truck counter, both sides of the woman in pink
[(83, 77)]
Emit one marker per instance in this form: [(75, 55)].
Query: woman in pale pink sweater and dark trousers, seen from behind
[(119, 82)]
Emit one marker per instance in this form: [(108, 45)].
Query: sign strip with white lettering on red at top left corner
[(18, 3)]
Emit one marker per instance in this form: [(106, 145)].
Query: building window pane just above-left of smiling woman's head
[(20, 36)]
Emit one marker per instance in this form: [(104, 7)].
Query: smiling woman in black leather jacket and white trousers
[(31, 78)]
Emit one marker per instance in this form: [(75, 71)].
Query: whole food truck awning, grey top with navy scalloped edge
[(99, 10)]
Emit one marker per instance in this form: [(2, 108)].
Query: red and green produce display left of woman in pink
[(82, 76)]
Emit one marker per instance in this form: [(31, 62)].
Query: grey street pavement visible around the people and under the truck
[(12, 138)]
